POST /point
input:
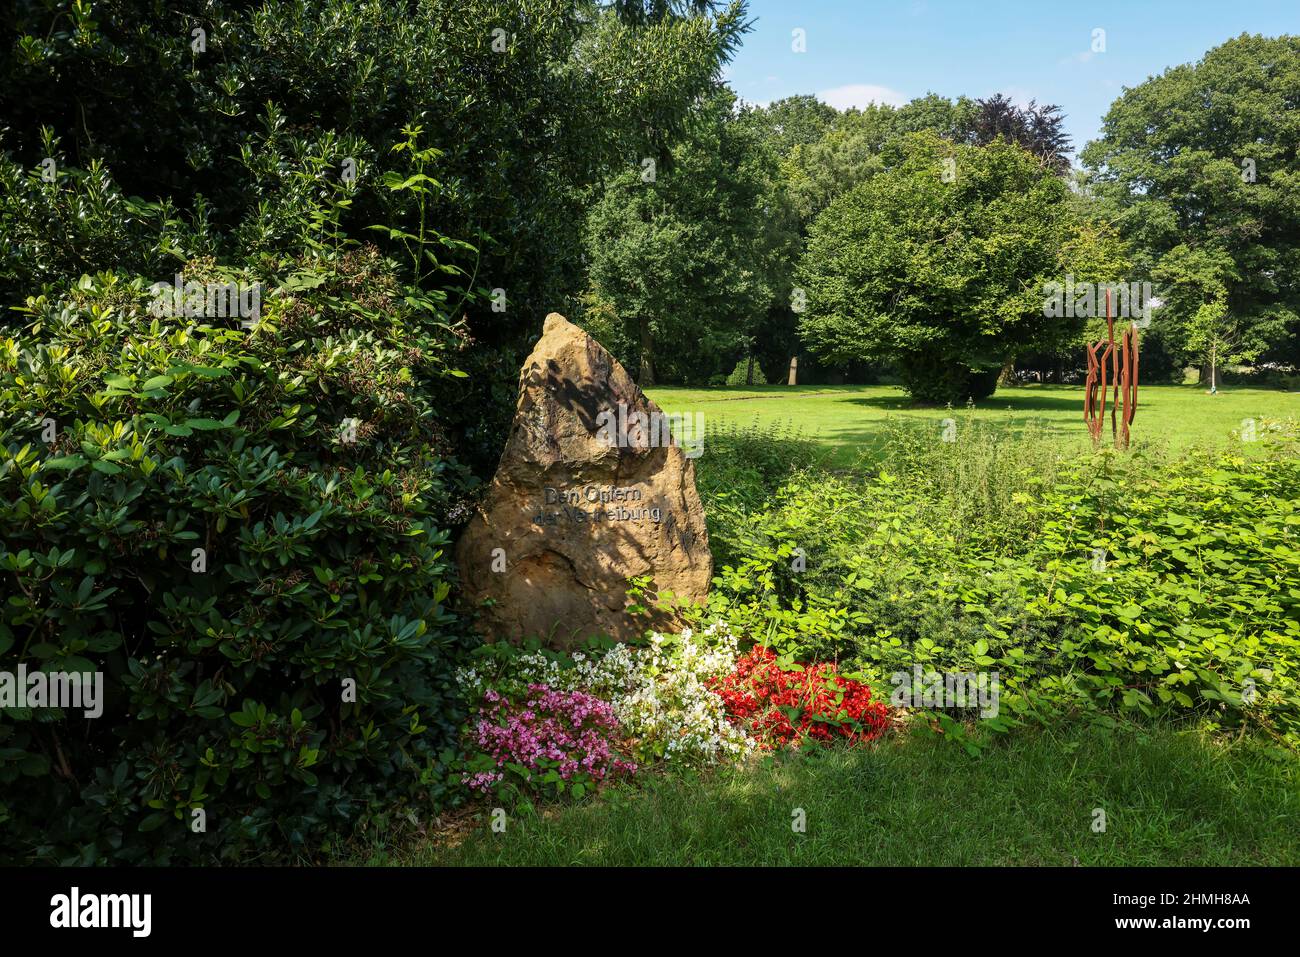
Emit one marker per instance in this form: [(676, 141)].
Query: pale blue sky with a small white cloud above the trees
[(895, 50)]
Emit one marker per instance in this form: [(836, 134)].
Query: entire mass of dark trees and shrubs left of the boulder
[(240, 518)]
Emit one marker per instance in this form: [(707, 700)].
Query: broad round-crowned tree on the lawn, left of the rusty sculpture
[(942, 265)]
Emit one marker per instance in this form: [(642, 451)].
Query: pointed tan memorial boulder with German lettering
[(591, 492)]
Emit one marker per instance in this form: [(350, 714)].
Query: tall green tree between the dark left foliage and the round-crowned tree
[(686, 265)]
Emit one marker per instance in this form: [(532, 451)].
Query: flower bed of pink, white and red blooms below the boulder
[(554, 722)]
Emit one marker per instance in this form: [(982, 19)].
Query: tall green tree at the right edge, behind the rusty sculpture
[(1203, 164)]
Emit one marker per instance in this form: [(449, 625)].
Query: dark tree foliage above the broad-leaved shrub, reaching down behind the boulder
[(531, 103)]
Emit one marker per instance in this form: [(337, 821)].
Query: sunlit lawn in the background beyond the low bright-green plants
[(850, 418)]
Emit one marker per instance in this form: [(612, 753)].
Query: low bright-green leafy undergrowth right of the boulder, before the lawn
[(1102, 583)]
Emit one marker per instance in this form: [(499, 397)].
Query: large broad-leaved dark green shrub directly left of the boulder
[(235, 526)]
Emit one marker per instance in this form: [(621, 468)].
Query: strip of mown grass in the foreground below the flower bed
[(1171, 799)]
